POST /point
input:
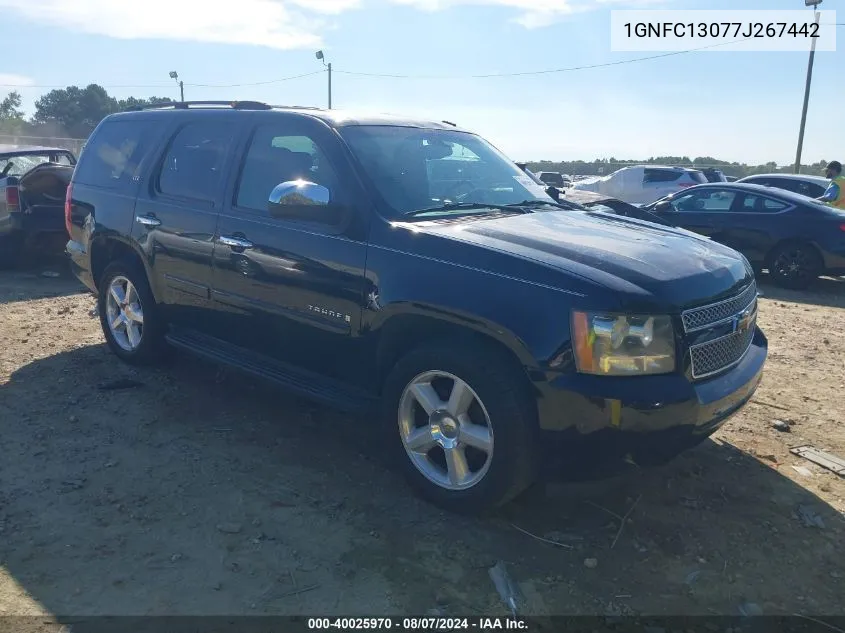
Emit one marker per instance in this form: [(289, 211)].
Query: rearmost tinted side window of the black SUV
[(112, 157)]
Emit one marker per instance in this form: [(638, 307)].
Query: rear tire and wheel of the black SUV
[(147, 345)]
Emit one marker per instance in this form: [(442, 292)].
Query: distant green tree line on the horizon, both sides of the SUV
[(74, 112)]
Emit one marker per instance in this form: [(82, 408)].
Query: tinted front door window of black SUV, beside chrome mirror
[(276, 156)]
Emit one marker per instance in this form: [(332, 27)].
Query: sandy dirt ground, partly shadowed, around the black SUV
[(196, 491)]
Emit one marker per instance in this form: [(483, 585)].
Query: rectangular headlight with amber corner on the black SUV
[(623, 345)]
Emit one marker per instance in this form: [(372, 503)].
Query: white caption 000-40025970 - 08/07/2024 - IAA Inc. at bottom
[(479, 623)]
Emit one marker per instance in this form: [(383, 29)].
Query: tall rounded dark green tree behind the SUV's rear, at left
[(76, 111)]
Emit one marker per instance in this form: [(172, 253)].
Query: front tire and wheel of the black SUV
[(496, 400)]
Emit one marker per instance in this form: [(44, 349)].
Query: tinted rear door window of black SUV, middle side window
[(193, 166)]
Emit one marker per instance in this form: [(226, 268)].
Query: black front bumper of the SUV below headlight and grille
[(590, 423)]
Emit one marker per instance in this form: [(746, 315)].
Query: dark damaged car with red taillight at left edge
[(33, 183)]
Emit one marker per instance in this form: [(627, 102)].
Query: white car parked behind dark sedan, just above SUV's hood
[(643, 184)]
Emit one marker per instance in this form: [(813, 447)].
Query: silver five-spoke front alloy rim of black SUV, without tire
[(446, 430)]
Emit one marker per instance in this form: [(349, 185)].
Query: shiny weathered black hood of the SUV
[(647, 262)]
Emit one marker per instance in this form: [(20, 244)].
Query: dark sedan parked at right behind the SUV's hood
[(796, 238)]
